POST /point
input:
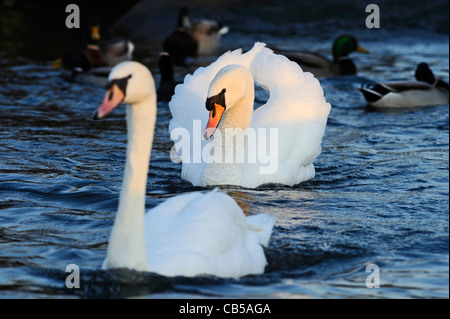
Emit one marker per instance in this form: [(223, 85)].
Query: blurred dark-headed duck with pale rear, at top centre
[(193, 38)]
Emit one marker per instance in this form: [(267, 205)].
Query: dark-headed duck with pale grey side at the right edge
[(426, 90)]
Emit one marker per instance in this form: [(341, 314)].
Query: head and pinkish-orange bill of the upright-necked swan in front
[(128, 82)]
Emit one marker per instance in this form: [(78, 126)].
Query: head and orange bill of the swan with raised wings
[(227, 88)]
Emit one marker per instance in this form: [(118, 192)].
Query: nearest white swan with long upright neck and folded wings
[(190, 234)]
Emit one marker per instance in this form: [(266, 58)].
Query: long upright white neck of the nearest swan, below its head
[(127, 247)]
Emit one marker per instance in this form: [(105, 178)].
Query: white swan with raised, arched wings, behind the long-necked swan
[(276, 143)]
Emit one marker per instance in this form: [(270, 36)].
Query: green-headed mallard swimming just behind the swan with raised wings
[(320, 65)]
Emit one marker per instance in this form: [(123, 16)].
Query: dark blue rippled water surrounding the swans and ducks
[(380, 195)]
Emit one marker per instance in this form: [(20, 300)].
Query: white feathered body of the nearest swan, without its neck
[(207, 234)]
